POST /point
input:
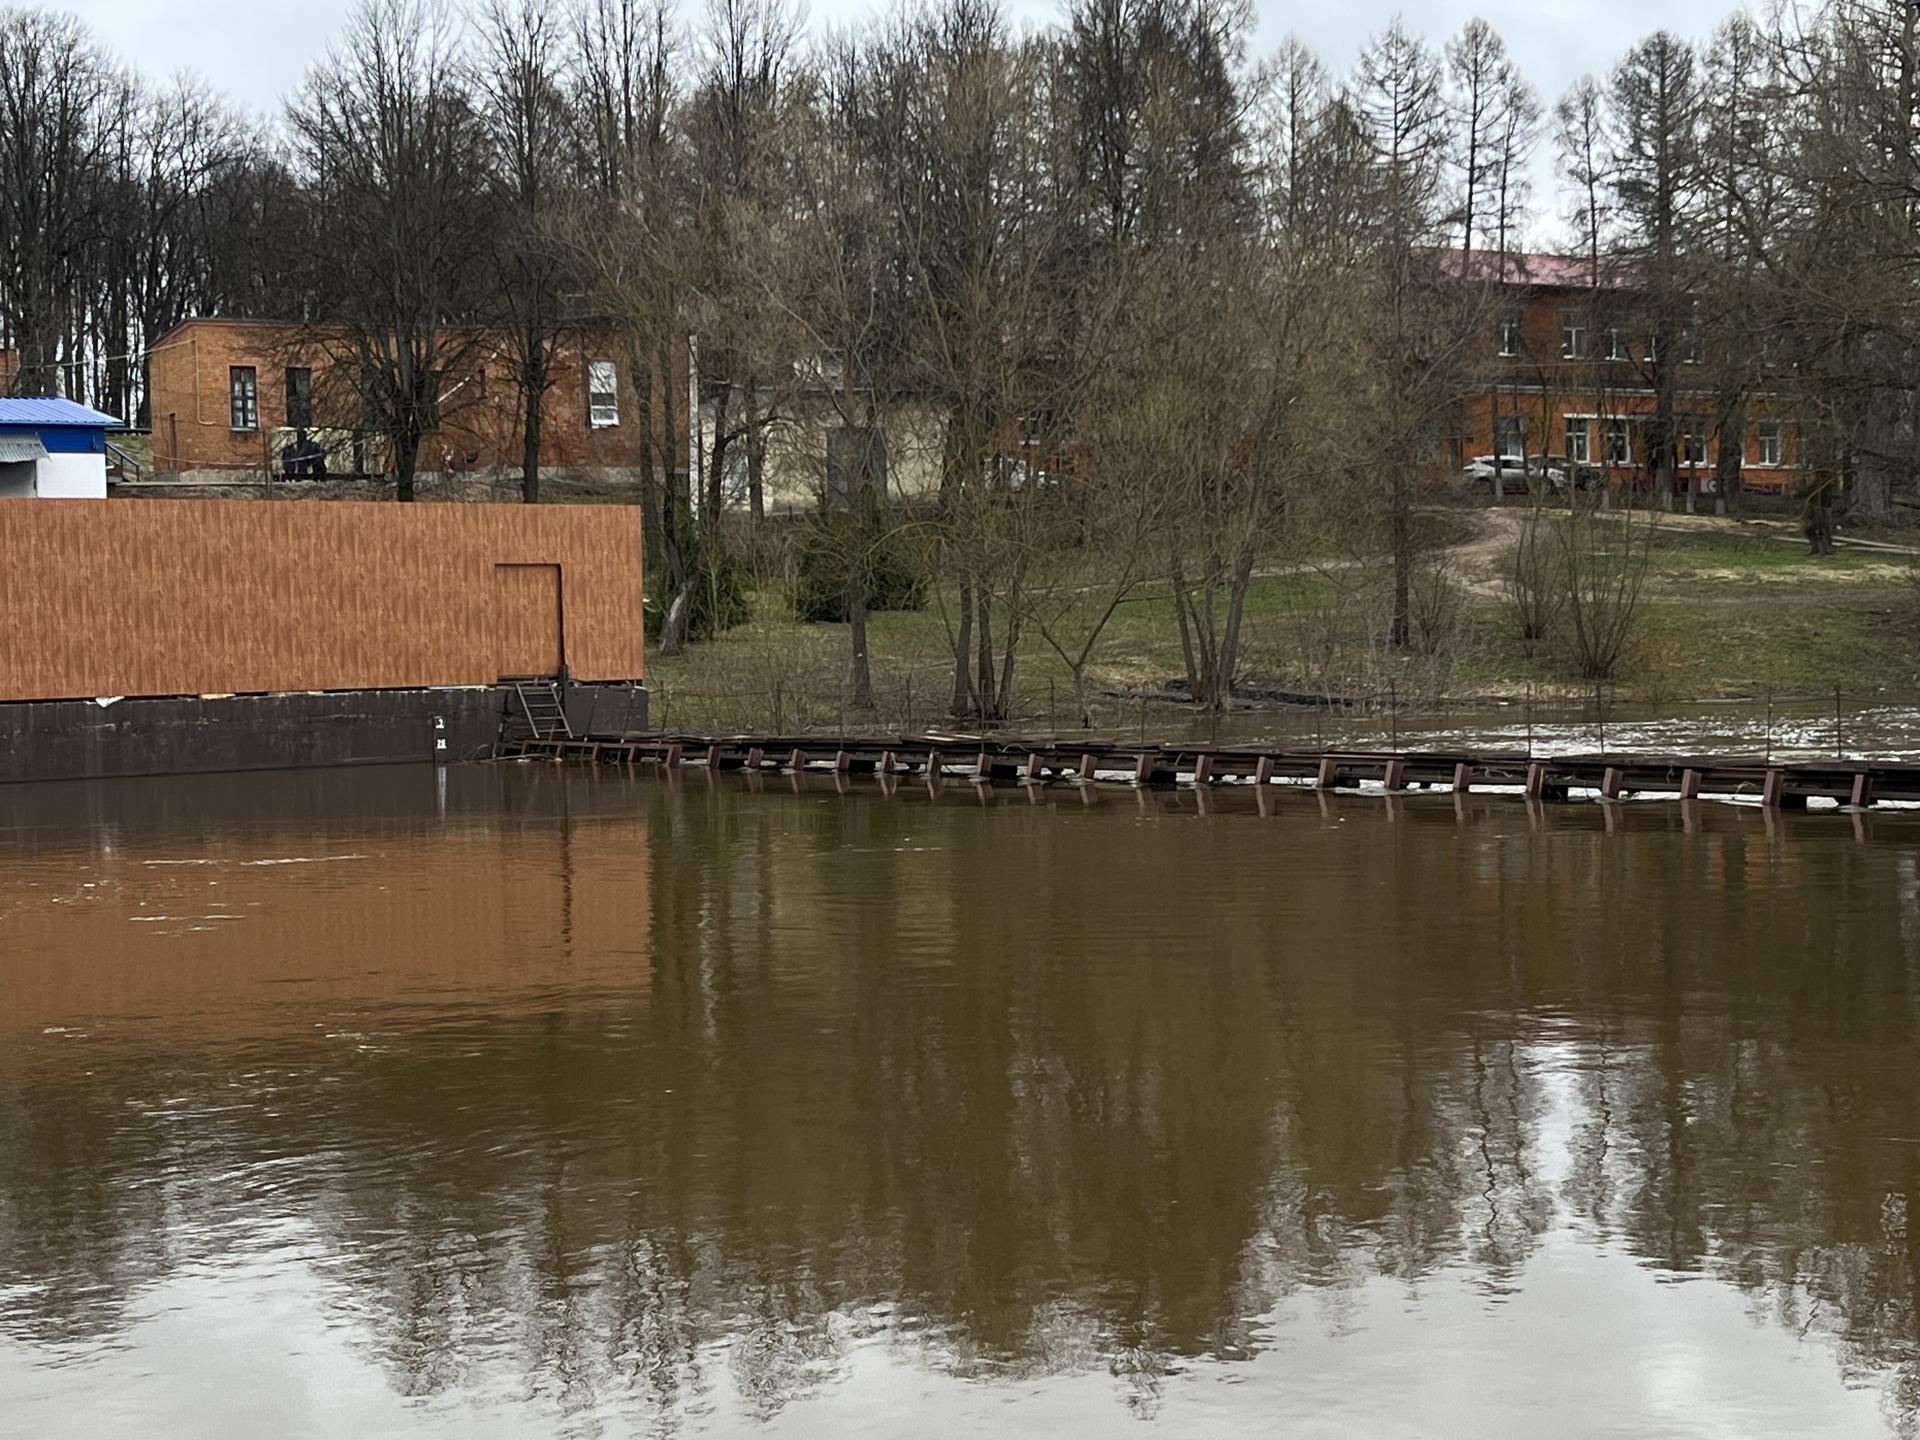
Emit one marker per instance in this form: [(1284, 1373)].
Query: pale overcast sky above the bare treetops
[(256, 51)]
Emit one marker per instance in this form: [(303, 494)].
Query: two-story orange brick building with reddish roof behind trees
[(1573, 377)]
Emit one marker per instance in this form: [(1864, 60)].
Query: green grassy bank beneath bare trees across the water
[(1731, 613)]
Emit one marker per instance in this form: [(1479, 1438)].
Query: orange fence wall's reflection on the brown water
[(260, 932)]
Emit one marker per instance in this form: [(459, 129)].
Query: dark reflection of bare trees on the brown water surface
[(1034, 1097)]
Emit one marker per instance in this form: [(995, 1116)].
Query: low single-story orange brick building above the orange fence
[(251, 396)]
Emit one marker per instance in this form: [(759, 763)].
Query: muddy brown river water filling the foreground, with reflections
[(521, 1103)]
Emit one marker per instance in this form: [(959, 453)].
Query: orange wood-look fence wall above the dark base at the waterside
[(193, 598)]
